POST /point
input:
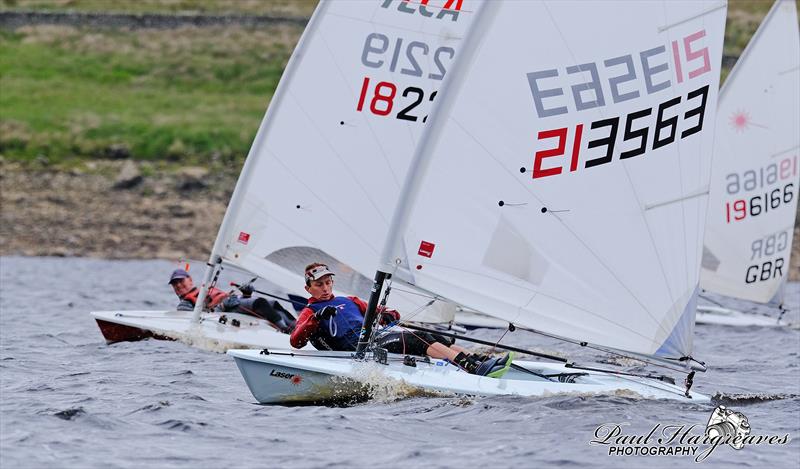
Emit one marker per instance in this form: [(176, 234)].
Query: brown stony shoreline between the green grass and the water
[(126, 210)]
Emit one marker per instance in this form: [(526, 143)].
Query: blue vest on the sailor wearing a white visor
[(340, 331)]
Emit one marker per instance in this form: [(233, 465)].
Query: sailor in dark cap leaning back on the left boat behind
[(218, 300)]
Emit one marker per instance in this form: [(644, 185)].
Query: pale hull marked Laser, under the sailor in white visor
[(323, 377)]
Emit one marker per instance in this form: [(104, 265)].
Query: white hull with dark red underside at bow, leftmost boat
[(208, 334)]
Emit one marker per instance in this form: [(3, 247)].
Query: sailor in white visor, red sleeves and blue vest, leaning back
[(334, 322)]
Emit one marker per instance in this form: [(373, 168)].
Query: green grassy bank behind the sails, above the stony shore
[(192, 95)]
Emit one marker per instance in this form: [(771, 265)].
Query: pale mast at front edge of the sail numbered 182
[(215, 258)]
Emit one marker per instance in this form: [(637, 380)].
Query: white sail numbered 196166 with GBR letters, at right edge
[(755, 177)]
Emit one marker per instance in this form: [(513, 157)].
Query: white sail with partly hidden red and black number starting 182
[(322, 177)]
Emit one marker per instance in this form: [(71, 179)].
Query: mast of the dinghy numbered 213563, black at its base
[(391, 257)]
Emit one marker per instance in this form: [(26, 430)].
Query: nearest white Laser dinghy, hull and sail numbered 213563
[(561, 186)]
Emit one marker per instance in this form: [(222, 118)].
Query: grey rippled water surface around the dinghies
[(69, 400)]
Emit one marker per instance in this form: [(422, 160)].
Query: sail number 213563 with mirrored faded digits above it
[(628, 76)]
